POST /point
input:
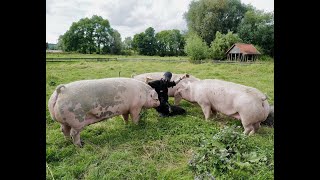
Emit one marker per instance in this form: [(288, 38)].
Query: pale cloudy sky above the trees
[(127, 16)]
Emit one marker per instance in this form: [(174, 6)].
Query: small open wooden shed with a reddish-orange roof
[(242, 52)]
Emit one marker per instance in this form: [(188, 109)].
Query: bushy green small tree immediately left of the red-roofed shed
[(222, 43)]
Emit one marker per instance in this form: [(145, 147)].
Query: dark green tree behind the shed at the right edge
[(257, 27)]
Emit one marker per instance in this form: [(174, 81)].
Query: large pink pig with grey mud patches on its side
[(81, 103)]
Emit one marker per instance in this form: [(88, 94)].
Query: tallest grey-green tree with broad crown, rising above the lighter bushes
[(206, 17)]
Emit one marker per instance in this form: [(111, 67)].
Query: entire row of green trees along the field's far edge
[(213, 26)]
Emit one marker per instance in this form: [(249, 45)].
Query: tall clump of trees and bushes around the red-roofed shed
[(214, 25)]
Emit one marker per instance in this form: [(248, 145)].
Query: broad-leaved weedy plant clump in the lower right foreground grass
[(227, 154)]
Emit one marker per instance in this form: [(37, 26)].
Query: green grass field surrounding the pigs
[(158, 148)]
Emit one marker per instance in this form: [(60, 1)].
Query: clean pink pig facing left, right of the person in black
[(242, 102)]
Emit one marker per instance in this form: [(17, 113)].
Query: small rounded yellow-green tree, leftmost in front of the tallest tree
[(196, 48)]
